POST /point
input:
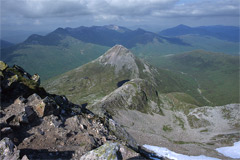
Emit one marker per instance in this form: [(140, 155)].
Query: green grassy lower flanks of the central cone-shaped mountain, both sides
[(93, 81)]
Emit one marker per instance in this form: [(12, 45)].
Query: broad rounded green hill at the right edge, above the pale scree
[(217, 74)]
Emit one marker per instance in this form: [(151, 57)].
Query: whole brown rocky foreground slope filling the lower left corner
[(39, 125)]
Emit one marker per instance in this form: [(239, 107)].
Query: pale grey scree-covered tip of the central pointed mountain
[(120, 57)]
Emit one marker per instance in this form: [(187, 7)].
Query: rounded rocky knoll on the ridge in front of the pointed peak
[(136, 94)]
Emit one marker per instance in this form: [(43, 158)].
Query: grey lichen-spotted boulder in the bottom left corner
[(8, 151)]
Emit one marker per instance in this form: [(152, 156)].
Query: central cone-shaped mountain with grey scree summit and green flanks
[(110, 71)]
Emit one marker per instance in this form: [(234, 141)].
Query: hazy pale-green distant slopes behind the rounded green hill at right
[(196, 42)]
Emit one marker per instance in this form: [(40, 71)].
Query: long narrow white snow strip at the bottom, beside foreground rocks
[(164, 152)]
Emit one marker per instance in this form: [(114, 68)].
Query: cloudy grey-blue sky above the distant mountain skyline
[(153, 15)]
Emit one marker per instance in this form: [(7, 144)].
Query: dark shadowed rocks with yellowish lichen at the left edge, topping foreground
[(16, 82)]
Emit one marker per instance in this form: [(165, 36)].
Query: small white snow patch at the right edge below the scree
[(232, 151)]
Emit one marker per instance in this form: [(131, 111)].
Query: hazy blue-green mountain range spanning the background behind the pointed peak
[(67, 48)]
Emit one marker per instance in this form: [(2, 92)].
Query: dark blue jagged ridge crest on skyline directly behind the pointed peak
[(109, 35)]
